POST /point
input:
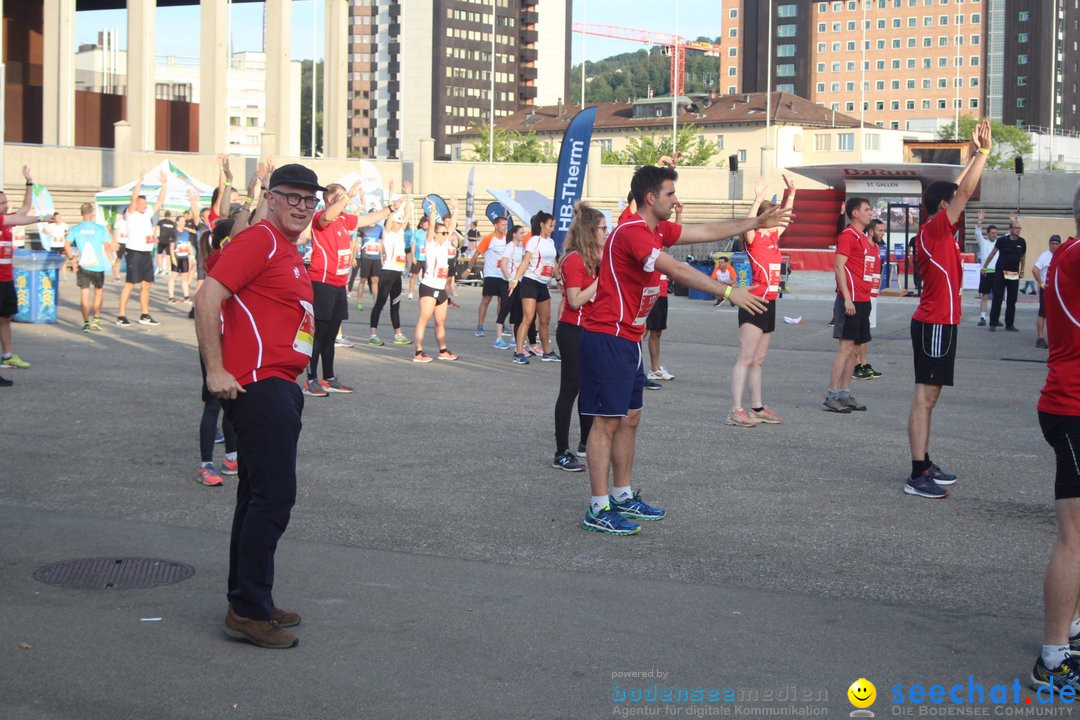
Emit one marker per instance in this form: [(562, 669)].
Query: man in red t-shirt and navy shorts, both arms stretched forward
[(613, 375)]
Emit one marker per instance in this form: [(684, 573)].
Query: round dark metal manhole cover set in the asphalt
[(97, 574)]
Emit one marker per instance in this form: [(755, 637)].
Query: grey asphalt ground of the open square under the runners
[(438, 559)]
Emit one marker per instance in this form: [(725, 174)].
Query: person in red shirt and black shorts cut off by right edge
[(1059, 664)]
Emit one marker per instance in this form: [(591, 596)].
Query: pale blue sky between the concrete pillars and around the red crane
[(696, 18)]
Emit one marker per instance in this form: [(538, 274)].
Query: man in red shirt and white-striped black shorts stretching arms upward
[(936, 320)]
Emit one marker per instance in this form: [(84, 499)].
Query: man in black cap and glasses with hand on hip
[(256, 327)]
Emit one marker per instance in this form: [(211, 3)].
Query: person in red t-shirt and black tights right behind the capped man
[(333, 255)]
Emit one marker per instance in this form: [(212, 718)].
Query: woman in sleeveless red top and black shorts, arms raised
[(757, 331)]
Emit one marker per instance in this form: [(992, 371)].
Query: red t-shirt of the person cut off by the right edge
[(1061, 295)]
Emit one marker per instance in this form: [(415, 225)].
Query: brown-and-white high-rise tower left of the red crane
[(424, 69)]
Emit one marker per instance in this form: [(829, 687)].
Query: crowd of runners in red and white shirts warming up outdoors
[(269, 271)]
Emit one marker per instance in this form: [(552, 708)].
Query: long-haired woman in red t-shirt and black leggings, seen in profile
[(582, 259)]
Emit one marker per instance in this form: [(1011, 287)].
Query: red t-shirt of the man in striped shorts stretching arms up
[(942, 270)]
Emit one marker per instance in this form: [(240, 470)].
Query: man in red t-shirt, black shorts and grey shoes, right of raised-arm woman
[(857, 264)]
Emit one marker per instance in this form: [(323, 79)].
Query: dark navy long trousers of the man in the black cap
[(267, 420)]
